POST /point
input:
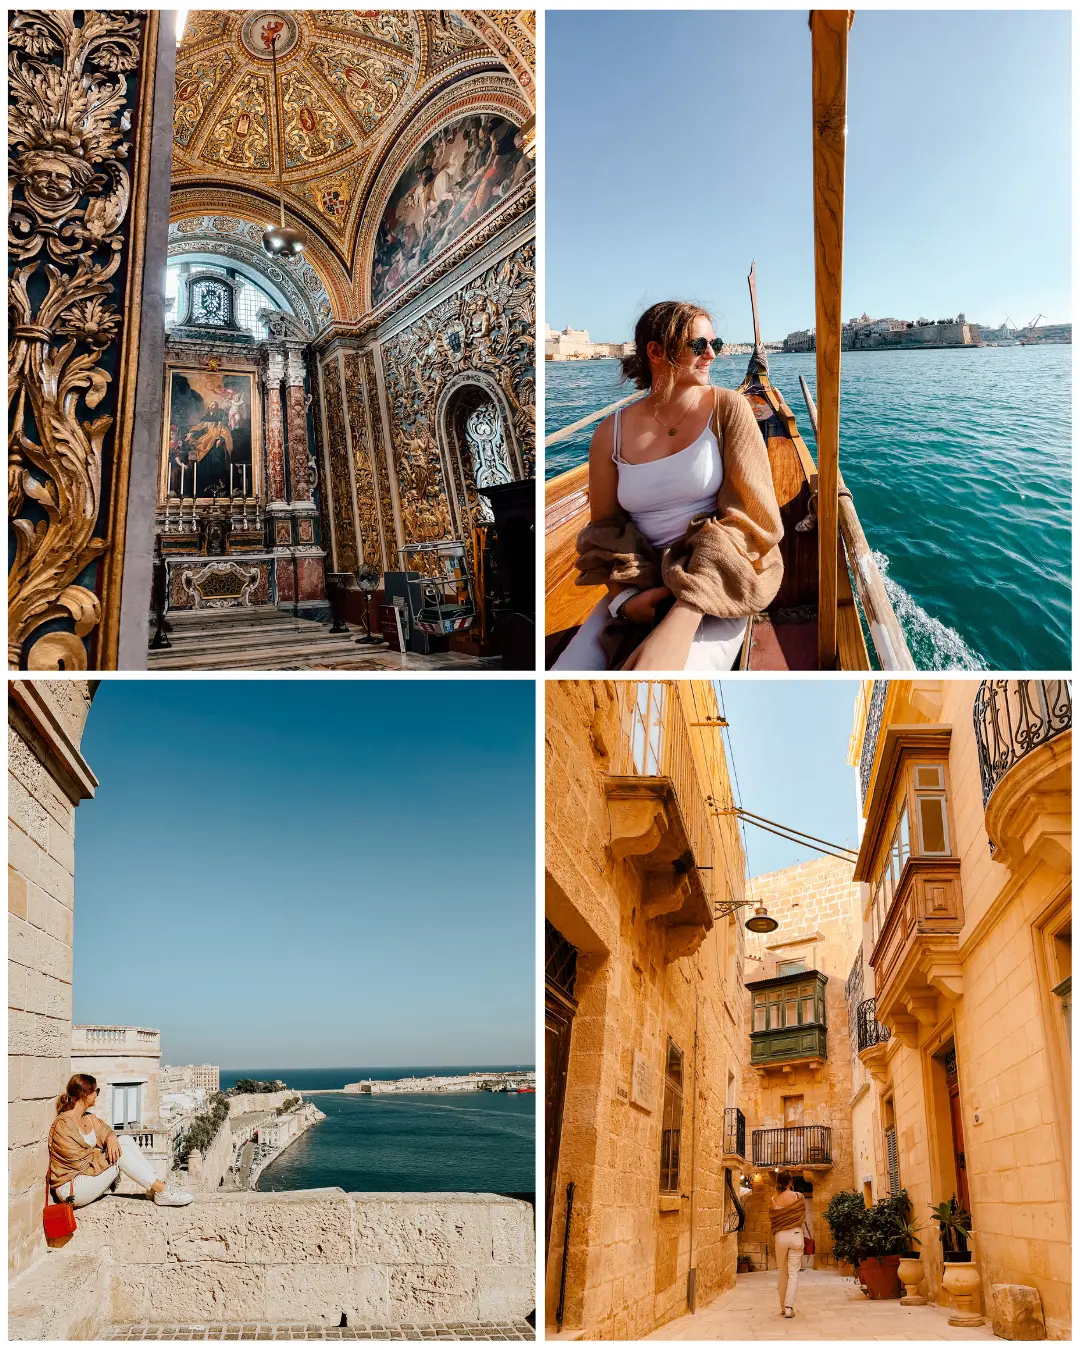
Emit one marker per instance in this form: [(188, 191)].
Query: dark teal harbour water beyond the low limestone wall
[(470, 1141)]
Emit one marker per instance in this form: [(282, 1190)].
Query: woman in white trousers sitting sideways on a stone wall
[(87, 1158)]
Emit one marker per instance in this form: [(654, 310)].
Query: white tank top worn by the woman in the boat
[(662, 496)]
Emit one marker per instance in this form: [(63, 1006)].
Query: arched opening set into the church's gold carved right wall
[(477, 443)]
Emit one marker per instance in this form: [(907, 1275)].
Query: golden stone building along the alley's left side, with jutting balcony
[(647, 1131)]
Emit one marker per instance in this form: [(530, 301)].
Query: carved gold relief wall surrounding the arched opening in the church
[(487, 326)]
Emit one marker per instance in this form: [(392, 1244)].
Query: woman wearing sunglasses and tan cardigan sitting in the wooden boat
[(685, 524)]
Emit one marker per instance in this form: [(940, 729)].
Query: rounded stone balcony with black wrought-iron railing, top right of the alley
[(1024, 730)]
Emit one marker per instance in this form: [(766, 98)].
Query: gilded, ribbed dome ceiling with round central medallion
[(357, 86)]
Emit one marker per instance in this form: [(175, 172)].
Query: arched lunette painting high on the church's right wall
[(460, 175)]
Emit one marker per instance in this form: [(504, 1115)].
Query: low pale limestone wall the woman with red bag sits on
[(313, 1256)]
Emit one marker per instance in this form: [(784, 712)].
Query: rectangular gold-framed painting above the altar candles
[(210, 435)]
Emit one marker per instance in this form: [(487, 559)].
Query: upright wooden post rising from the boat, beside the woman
[(830, 45)]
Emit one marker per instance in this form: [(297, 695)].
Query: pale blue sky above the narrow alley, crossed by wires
[(789, 740)]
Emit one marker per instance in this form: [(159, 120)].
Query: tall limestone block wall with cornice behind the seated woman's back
[(48, 778)]
